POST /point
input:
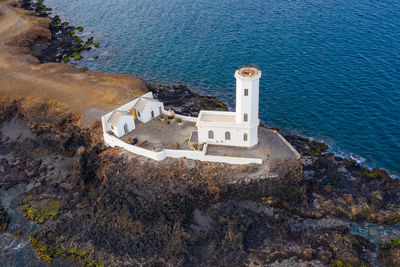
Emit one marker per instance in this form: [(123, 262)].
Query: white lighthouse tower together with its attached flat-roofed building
[(238, 128)]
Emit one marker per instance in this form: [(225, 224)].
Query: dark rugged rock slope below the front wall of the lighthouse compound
[(129, 211)]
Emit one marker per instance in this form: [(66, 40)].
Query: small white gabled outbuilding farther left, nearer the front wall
[(121, 122)]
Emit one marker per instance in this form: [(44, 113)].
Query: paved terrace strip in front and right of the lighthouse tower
[(270, 148)]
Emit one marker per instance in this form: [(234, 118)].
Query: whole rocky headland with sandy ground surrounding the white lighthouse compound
[(100, 206)]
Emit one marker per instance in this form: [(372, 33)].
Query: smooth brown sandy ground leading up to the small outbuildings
[(23, 75)]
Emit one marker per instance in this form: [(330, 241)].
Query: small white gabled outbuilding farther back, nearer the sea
[(147, 109)]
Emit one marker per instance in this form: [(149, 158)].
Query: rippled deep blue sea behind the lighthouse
[(331, 68)]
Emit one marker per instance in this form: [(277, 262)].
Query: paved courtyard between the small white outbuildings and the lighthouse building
[(158, 134)]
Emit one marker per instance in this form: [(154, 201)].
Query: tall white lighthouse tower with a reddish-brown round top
[(247, 100)]
